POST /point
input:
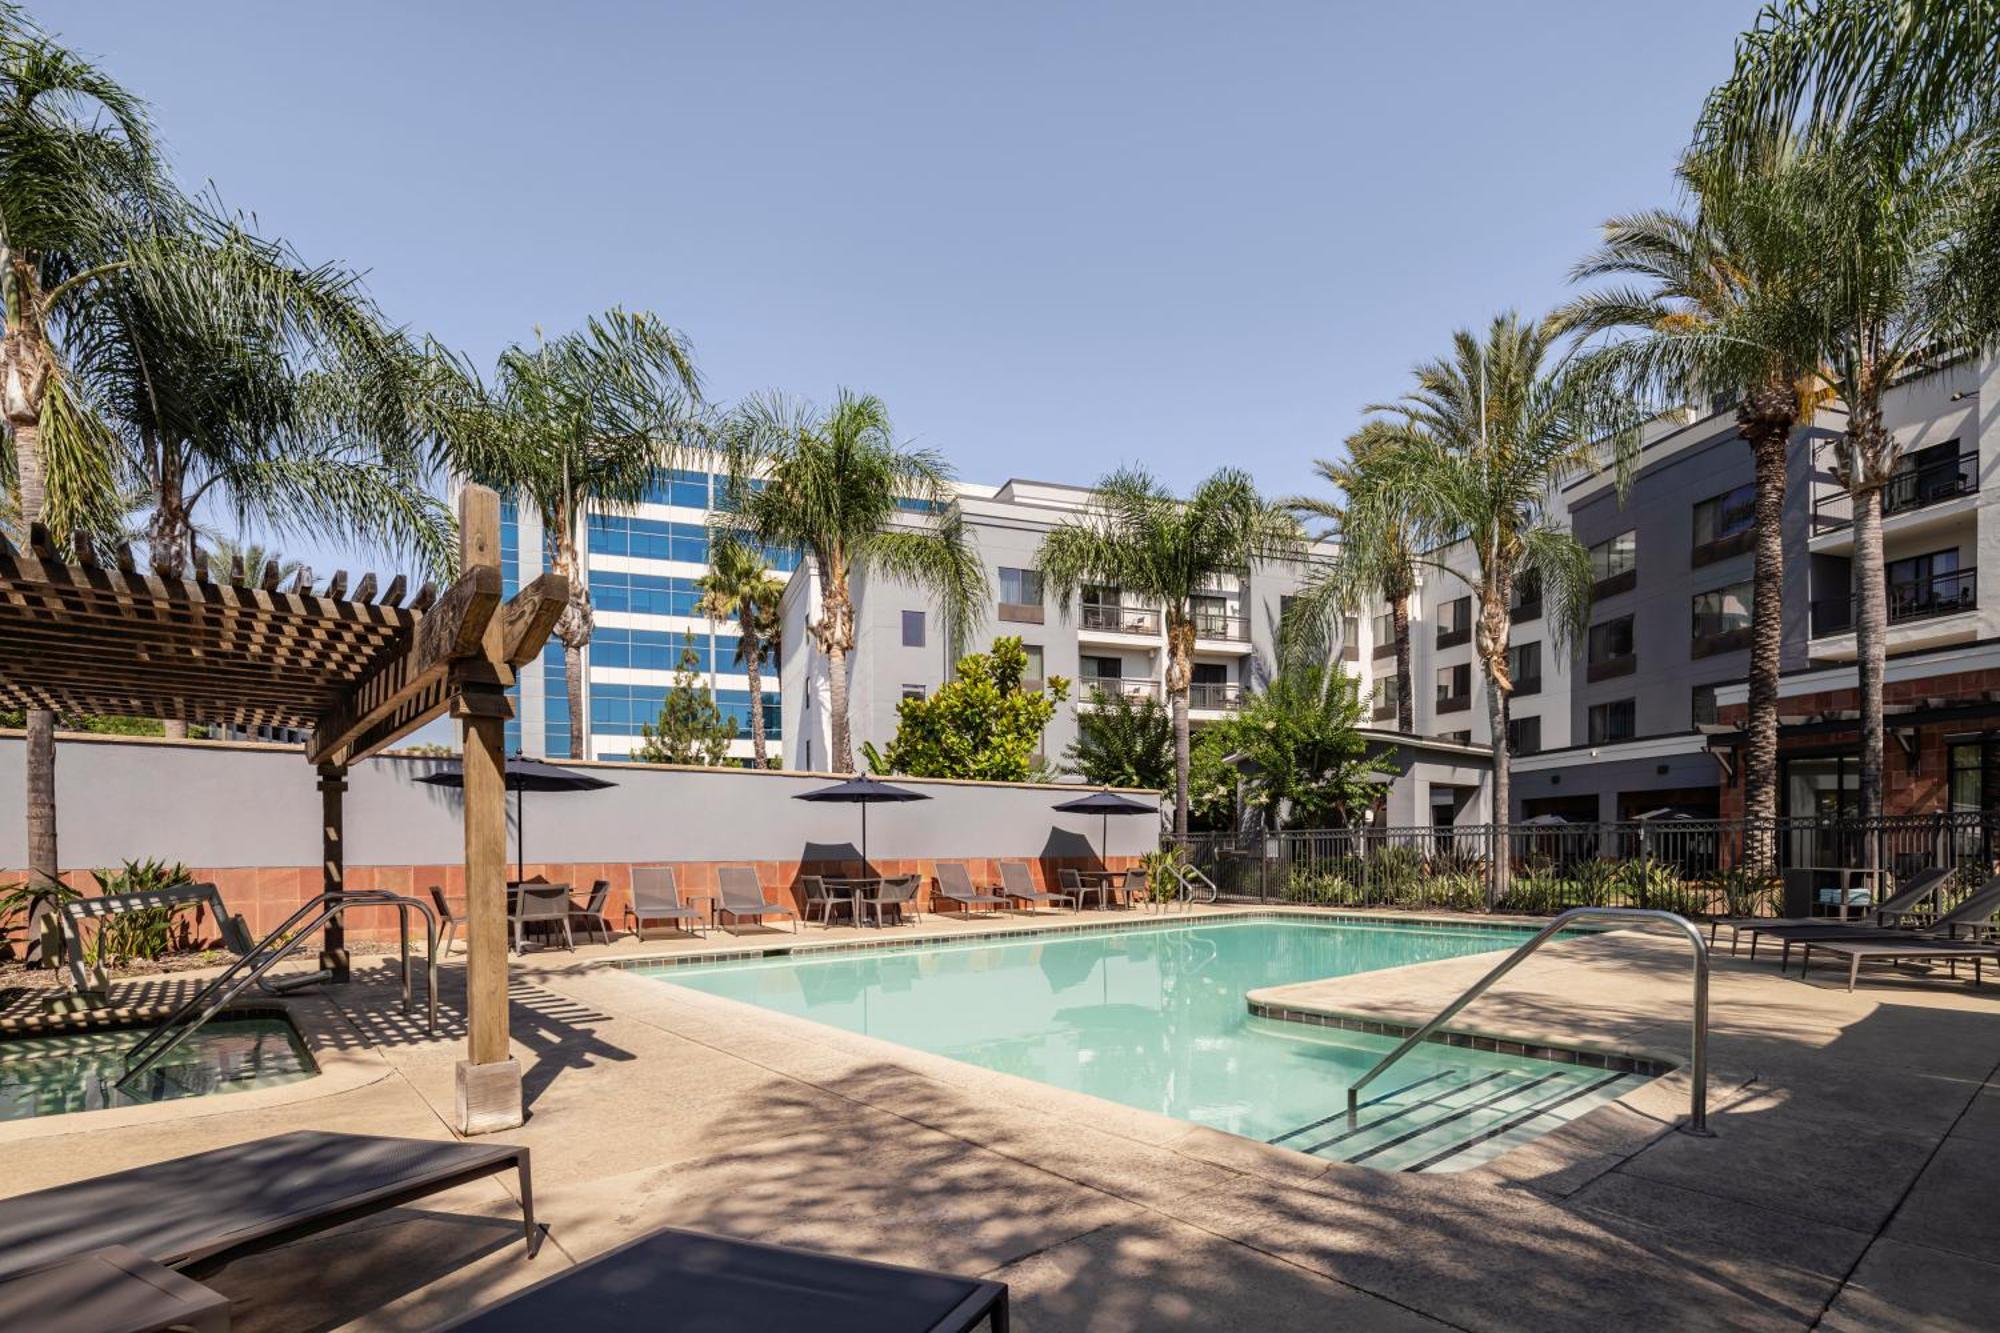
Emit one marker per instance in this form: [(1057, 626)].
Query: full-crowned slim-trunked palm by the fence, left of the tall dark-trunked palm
[(1477, 453)]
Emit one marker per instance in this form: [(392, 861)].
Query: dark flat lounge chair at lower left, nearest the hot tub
[(245, 1198)]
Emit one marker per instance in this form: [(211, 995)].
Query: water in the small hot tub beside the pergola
[(75, 1072)]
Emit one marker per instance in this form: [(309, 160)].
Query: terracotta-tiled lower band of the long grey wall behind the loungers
[(267, 896)]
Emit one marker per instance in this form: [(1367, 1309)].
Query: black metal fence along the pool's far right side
[(1687, 866)]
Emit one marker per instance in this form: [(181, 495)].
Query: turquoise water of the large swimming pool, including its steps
[(1155, 1018)]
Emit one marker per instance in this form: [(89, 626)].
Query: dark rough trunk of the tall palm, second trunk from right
[(1769, 437)]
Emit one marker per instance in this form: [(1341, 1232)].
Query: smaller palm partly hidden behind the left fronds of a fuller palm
[(1371, 565)]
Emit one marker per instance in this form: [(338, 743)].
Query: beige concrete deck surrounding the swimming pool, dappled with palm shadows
[(1849, 1184)]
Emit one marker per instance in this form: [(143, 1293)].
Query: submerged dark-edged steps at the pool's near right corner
[(1453, 1120)]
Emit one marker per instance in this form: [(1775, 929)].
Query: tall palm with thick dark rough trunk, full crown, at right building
[(1713, 311)]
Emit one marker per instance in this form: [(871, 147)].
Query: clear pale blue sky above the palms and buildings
[(1051, 237)]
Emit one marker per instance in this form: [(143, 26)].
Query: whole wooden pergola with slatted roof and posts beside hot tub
[(355, 672)]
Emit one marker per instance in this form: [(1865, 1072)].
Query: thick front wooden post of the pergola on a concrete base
[(489, 1078)]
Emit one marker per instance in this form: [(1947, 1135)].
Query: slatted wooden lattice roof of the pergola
[(249, 649)]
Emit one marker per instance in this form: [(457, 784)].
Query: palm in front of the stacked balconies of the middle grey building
[(1141, 539)]
